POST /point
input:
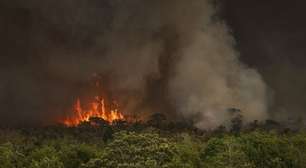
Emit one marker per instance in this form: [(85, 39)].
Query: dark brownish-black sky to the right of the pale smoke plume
[(271, 37)]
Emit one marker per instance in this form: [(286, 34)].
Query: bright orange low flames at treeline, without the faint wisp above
[(97, 108)]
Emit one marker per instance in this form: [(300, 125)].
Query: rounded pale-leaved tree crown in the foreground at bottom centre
[(138, 150)]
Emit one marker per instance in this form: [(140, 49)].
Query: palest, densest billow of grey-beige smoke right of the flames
[(210, 79)]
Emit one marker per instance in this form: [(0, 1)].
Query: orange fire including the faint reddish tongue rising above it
[(101, 106)]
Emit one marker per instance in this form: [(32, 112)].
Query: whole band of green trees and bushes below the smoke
[(152, 145)]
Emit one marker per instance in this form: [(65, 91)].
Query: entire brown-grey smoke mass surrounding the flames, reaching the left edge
[(170, 56)]
